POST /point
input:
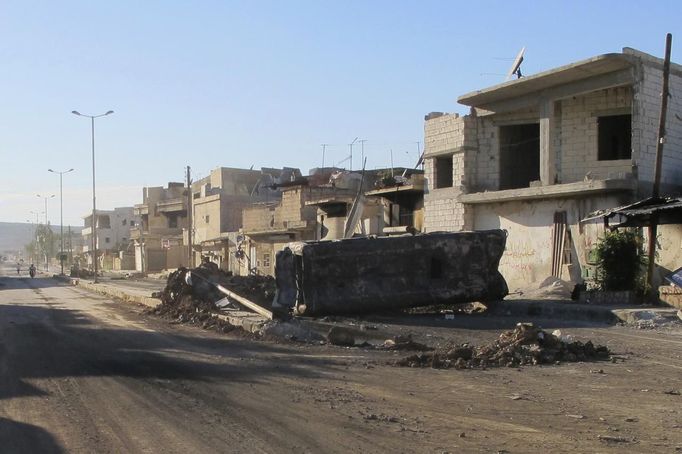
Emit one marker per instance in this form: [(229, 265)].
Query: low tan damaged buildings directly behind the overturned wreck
[(330, 204)]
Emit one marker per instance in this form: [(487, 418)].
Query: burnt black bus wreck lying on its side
[(371, 274)]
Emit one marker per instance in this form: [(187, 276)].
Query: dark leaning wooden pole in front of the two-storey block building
[(653, 226)]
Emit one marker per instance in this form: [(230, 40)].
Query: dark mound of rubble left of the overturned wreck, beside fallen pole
[(194, 302)]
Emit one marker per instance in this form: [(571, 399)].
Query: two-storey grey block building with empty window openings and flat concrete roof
[(537, 154)]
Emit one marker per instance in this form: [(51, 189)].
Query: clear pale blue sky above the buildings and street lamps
[(262, 83)]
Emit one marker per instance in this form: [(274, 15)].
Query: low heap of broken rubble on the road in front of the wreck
[(525, 345)]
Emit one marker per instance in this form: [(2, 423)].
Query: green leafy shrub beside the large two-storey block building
[(620, 261)]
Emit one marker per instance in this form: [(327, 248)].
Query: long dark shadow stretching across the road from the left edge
[(39, 342)]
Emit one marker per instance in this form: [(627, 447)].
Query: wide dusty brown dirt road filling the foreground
[(82, 373)]
